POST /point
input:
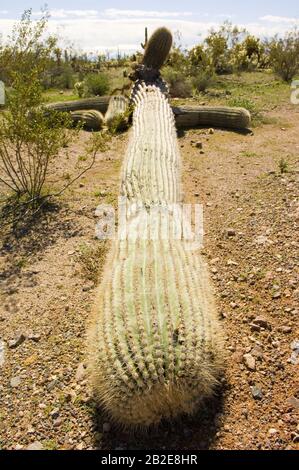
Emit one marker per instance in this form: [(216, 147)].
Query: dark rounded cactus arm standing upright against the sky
[(157, 48)]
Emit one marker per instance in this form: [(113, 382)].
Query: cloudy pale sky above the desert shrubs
[(95, 25)]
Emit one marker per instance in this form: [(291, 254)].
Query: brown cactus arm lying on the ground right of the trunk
[(224, 117)]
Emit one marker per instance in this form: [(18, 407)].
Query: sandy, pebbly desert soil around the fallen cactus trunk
[(48, 282)]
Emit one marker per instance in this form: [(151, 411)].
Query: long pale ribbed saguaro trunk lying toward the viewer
[(156, 343)]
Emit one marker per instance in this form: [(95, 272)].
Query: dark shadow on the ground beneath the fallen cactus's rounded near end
[(196, 432)]
